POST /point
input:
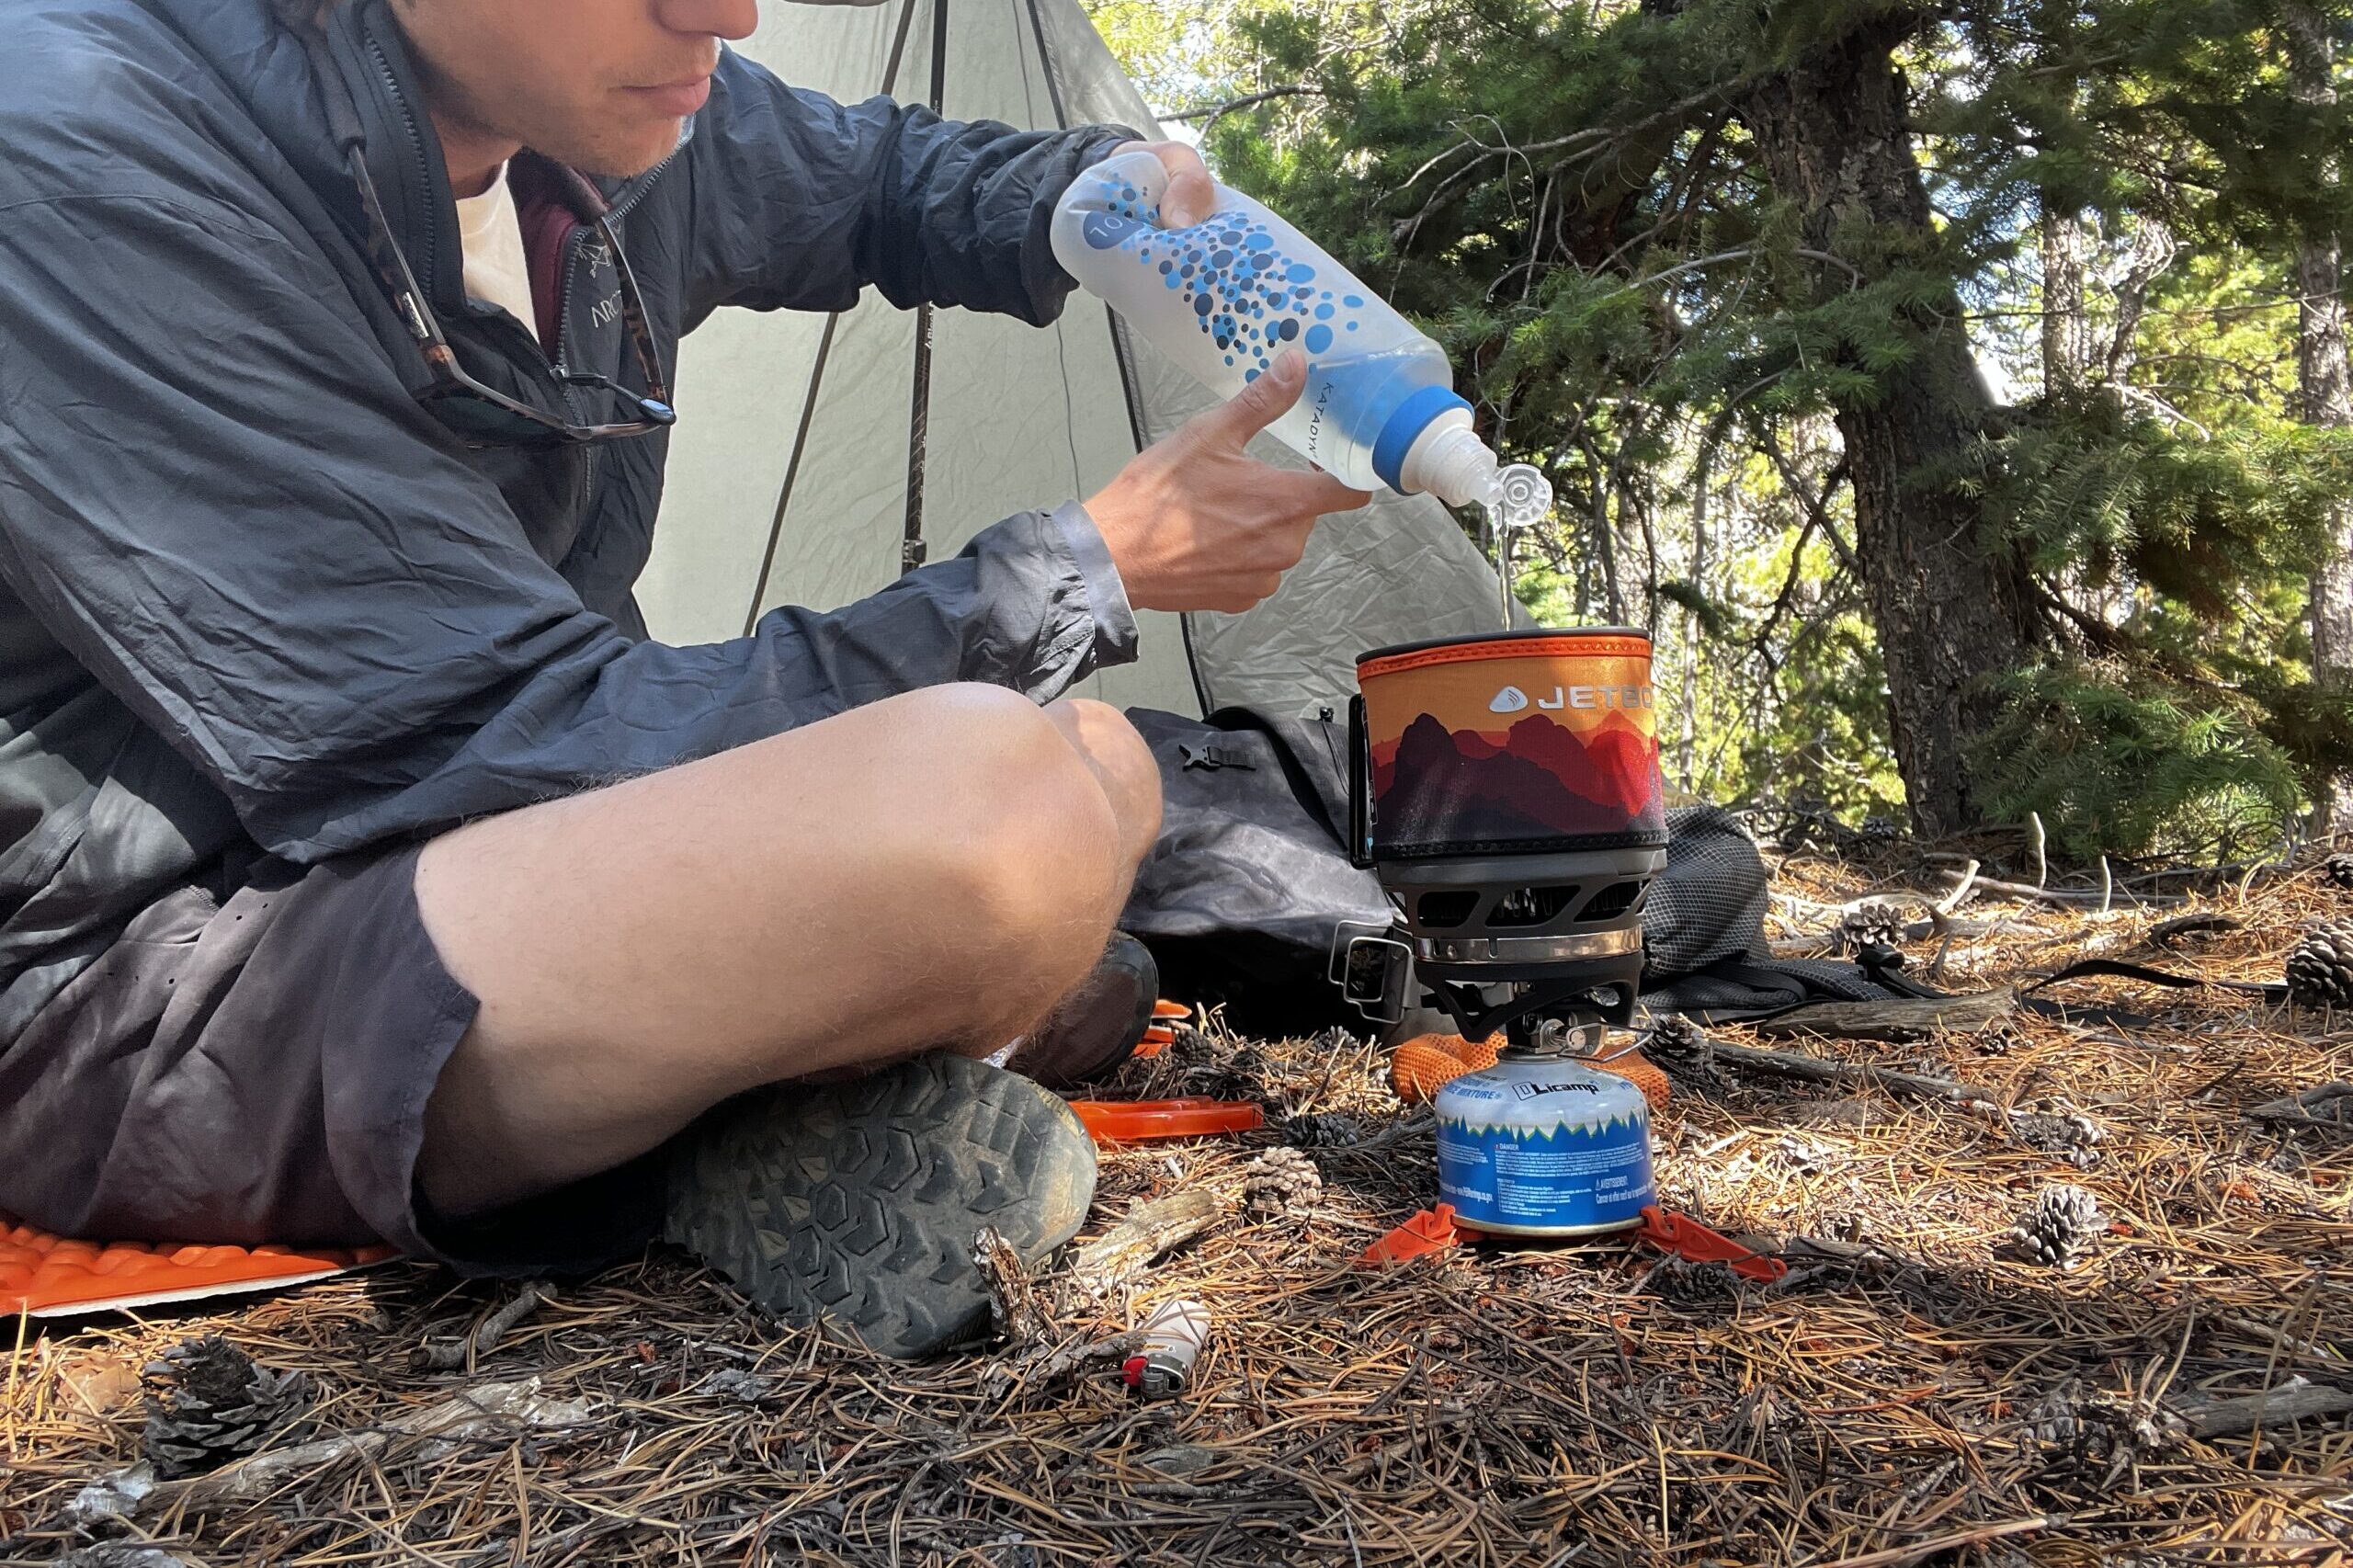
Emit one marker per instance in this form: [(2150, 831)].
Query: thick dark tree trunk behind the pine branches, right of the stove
[(1949, 606)]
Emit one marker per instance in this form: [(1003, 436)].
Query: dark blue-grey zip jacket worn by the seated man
[(258, 602)]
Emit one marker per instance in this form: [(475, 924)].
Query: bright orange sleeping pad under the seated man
[(46, 1277)]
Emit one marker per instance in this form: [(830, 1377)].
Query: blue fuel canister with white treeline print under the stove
[(1545, 1150)]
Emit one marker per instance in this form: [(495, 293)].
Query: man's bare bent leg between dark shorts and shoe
[(933, 870)]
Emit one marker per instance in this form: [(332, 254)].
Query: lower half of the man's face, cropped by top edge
[(604, 86)]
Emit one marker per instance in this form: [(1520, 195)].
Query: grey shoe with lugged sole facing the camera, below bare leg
[(853, 1207)]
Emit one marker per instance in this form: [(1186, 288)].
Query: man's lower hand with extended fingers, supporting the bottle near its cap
[(1194, 524)]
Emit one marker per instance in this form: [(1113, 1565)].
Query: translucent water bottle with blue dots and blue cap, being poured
[(1232, 293)]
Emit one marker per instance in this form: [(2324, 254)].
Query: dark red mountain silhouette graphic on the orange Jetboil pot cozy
[(1538, 780)]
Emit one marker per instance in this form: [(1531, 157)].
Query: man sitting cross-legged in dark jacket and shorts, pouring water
[(366, 870)]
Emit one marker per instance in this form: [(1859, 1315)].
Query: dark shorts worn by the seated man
[(258, 1070)]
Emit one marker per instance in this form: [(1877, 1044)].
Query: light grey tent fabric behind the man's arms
[(813, 449)]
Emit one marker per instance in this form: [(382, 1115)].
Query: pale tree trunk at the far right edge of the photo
[(2324, 390)]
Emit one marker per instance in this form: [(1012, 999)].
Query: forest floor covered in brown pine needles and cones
[(1959, 1369)]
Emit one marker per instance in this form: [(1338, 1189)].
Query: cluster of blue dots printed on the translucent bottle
[(1246, 293)]
